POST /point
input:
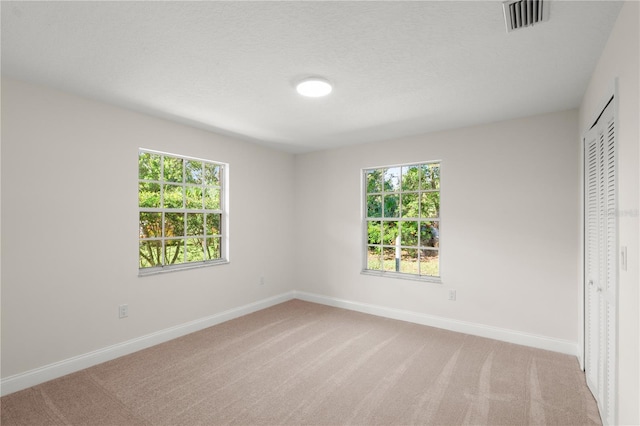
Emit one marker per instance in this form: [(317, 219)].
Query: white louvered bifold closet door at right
[(601, 262)]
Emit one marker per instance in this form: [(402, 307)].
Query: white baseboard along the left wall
[(58, 369)]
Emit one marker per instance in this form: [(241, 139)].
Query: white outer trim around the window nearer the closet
[(364, 227)]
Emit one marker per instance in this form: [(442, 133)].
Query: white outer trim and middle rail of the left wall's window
[(223, 211)]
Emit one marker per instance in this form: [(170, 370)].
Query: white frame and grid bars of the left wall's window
[(223, 210)]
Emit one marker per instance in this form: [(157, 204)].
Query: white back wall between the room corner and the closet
[(510, 234)]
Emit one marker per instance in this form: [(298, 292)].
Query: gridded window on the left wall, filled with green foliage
[(182, 219)]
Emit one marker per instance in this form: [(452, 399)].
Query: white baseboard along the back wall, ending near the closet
[(506, 335)]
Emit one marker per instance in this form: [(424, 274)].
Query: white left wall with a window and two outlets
[(69, 215)]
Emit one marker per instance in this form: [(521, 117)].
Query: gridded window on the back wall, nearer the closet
[(402, 220)]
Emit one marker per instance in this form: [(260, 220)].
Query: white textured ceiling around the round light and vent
[(398, 68)]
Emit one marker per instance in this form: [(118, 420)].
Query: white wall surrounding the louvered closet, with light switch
[(620, 60)]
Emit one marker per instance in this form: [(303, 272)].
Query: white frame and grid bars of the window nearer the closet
[(366, 218)]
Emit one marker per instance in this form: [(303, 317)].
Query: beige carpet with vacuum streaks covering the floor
[(300, 363)]
